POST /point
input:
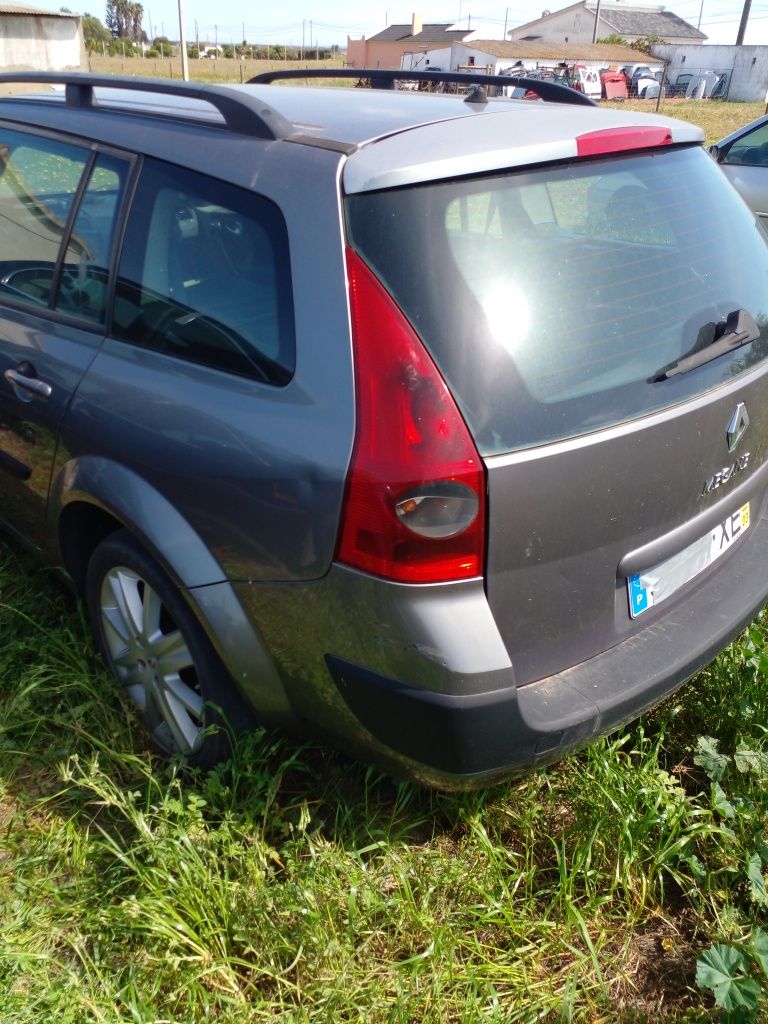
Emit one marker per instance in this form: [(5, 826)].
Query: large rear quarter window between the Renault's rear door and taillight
[(205, 276)]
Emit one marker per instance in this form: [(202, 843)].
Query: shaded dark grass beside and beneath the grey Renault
[(60, 703)]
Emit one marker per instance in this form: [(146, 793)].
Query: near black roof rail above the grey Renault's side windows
[(242, 113)]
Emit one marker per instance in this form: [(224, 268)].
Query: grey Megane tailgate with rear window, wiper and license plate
[(604, 325)]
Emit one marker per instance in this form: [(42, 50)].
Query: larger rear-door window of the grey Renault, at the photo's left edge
[(39, 180)]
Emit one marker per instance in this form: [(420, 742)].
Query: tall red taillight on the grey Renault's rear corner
[(415, 503)]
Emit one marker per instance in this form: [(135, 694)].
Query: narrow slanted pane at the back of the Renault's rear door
[(82, 287)]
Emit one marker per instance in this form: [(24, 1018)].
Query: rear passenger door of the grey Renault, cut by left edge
[(59, 209)]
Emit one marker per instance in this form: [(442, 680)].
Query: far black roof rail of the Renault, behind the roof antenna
[(386, 79)]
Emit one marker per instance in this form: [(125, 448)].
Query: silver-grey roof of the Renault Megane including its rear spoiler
[(391, 138)]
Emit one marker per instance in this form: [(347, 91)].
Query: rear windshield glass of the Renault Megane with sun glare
[(551, 300)]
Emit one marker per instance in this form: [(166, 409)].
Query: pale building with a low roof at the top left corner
[(40, 40)]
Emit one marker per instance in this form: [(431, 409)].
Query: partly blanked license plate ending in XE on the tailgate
[(647, 589)]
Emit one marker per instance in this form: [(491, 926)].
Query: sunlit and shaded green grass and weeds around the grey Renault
[(627, 884)]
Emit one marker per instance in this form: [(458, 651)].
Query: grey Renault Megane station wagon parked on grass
[(436, 425)]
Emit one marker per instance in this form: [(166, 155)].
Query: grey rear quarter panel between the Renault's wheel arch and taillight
[(280, 476)]
